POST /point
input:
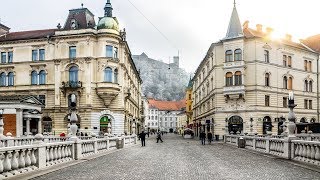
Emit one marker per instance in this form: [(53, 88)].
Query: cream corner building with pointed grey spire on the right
[(242, 84)]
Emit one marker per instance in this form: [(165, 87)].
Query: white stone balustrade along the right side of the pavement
[(289, 148)]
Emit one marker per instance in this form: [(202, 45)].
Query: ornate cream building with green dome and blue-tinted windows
[(91, 61)]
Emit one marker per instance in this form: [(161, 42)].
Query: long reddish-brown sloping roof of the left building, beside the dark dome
[(24, 35)]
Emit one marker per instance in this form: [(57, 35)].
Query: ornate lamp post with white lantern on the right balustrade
[(291, 126)]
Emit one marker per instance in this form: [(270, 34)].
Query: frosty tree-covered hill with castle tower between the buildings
[(161, 81)]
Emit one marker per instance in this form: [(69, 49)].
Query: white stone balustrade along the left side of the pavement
[(19, 159)]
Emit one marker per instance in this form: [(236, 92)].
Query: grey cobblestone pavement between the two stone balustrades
[(178, 158)]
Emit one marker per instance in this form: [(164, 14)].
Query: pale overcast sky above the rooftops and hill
[(190, 25)]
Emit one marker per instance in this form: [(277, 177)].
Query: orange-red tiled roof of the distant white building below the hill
[(167, 105)]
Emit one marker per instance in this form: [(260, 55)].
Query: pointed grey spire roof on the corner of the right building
[(234, 28)]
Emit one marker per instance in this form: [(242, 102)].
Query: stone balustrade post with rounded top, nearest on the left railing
[(41, 153)]
